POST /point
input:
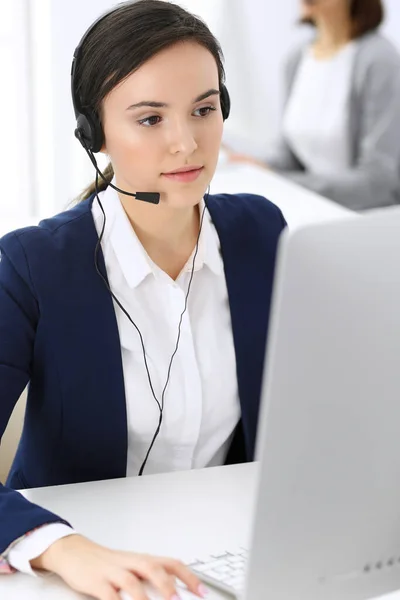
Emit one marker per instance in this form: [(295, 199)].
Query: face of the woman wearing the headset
[(183, 127)]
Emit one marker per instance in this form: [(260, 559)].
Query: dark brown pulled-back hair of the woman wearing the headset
[(127, 38)]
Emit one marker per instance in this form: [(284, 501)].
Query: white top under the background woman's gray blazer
[(316, 120)]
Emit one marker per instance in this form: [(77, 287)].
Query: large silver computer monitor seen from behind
[(327, 515)]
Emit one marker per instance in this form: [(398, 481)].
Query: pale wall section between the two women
[(256, 37)]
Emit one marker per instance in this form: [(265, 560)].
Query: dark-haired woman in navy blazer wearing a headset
[(139, 317)]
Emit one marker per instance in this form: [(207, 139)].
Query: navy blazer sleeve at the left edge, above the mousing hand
[(19, 315)]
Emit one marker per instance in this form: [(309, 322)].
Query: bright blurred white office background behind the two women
[(42, 165)]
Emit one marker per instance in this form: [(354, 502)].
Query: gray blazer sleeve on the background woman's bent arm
[(374, 180)]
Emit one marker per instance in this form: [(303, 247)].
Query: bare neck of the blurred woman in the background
[(334, 31)]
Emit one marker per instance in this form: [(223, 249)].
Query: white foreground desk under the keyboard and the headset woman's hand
[(182, 514)]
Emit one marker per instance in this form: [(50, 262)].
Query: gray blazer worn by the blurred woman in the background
[(374, 178)]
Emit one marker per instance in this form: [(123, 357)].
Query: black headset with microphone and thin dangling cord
[(89, 132)]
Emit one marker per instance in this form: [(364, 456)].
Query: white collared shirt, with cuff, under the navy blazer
[(201, 403)]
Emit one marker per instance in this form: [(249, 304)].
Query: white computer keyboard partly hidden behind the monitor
[(225, 571)]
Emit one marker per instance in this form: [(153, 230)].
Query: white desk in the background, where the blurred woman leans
[(299, 205)]
